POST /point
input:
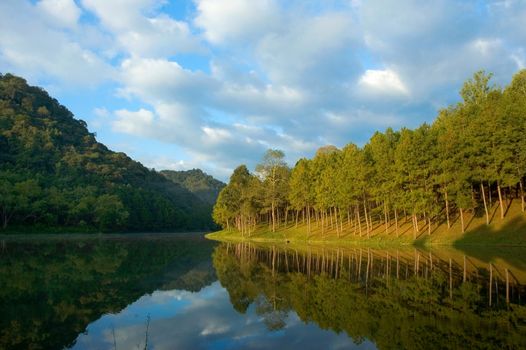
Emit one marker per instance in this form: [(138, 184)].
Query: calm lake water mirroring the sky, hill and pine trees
[(184, 292)]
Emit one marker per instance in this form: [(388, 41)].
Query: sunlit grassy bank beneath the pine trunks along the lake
[(510, 231)]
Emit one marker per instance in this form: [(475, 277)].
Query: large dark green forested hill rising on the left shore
[(54, 174)]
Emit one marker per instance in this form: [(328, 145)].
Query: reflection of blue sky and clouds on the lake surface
[(203, 320)]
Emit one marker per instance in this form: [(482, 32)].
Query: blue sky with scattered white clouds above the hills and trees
[(214, 83)]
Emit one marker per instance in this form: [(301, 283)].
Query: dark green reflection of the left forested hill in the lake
[(52, 289)]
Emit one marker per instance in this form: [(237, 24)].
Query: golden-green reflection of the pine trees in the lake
[(404, 301)]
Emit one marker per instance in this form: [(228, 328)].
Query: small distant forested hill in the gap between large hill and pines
[(196, 181)]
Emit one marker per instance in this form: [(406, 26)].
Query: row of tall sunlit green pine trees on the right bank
[(472, 156)]
